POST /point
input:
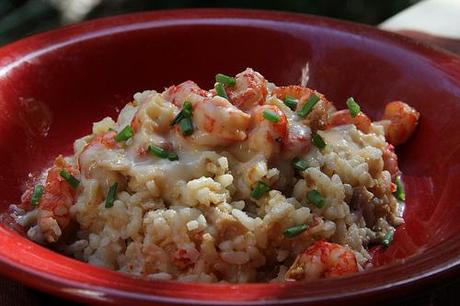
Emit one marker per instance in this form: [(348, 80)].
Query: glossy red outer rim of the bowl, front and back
[(448, 263)]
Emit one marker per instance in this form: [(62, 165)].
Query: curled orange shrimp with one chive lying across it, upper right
[(317, 119)]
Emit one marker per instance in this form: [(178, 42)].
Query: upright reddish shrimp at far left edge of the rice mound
[(54, 205)]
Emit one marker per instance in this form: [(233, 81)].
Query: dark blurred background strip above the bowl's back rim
[(19, 18)]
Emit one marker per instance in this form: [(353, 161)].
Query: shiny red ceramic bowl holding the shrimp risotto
[(54, 85)]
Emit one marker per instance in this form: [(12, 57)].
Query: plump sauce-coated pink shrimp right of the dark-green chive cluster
[(217, 123)]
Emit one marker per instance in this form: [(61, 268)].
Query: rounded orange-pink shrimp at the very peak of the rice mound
[(250, 90)]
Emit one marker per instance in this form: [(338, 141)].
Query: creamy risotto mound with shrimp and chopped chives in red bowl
[(246, 182)]
